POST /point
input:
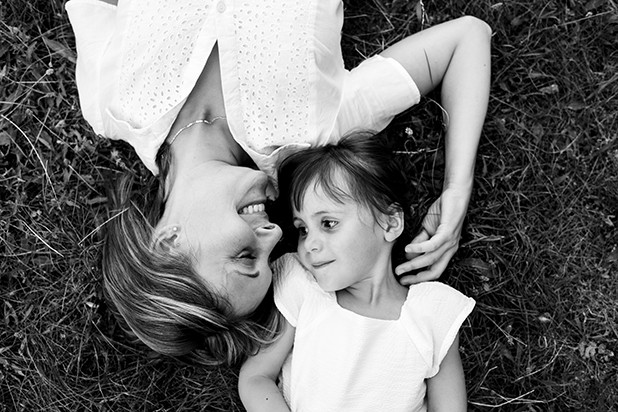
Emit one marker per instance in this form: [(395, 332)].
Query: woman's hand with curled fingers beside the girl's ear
[(438, 241)]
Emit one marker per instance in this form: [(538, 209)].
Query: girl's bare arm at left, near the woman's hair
[(257, 380)]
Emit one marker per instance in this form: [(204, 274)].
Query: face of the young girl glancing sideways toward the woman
[(341, 244)]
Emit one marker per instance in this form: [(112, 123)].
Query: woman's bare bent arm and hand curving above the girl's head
[(456, 54)]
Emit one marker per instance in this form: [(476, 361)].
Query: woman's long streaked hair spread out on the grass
[(158, 296)]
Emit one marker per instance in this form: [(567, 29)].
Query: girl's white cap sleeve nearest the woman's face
[(291, 286)]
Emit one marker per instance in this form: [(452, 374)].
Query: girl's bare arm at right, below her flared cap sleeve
[(447, 390)]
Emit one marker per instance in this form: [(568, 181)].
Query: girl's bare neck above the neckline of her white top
[(379, 296)]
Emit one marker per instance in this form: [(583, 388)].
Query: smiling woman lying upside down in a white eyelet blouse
[(212, 96)]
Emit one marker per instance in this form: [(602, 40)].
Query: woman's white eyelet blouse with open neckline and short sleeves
[(283, 77)]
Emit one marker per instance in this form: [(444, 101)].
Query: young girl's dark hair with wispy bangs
[(372, 175)]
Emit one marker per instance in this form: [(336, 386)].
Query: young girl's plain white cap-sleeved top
[(346, 362)]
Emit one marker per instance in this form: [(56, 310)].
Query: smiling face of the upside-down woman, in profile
[(222, 224)]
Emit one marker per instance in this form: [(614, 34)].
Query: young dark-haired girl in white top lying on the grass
[(362, 341)]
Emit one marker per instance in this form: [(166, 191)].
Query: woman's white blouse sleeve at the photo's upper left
[(93, 23)]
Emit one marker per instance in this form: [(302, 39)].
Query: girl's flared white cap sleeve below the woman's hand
[(437, 312)]
